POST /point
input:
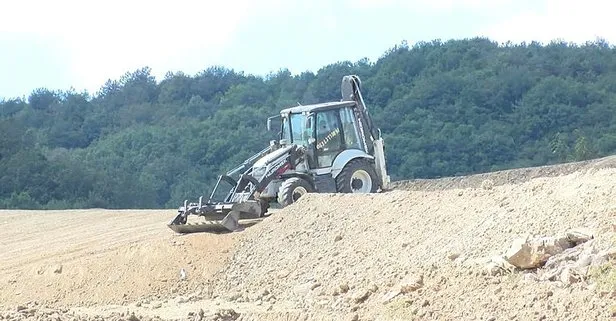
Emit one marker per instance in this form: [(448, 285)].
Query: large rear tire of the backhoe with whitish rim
[(358, 176)]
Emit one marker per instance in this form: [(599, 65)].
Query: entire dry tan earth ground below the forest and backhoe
[(430, 249)]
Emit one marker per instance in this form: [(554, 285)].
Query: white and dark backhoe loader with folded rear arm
[(330, 147)]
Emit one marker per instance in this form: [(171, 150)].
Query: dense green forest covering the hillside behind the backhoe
[(445, 108)]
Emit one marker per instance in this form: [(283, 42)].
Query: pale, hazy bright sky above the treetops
[(65, 44)]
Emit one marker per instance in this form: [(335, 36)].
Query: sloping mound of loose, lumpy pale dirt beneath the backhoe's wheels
[(344, 256)]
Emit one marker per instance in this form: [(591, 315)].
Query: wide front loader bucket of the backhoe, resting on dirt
[(218, 219)]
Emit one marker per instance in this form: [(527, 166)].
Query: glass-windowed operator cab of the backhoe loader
[(325, 130)]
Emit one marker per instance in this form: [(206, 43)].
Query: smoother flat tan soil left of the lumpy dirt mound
[(93, 257)]
